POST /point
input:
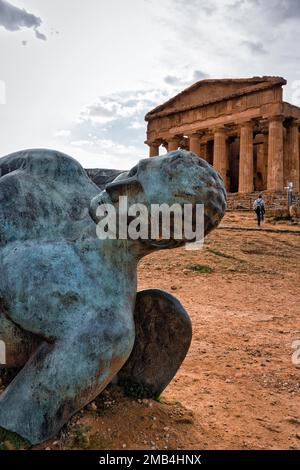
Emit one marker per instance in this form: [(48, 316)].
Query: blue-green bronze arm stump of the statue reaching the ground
[(64, 376)]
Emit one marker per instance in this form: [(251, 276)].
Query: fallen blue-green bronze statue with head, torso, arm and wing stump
[(68, 310)]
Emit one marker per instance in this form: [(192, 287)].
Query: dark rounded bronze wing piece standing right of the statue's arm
[(163, 337)]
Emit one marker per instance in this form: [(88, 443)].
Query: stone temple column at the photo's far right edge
[(292, 157)]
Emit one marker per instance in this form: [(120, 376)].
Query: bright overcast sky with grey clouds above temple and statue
[(79, 75)]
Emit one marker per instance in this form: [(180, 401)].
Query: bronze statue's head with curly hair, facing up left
[(179, 177)]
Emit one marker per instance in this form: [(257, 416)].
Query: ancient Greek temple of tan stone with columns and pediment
[(240, 126)]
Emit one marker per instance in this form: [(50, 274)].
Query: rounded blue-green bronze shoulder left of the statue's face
[(45, 195)]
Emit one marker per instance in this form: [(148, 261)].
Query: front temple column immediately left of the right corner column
[(246, 158)]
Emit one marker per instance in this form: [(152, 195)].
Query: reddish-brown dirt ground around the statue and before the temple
[(238, 387)]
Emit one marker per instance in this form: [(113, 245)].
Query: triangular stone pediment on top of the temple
[(209, 91)]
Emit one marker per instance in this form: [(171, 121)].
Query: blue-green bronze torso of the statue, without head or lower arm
[(50, 254)]
